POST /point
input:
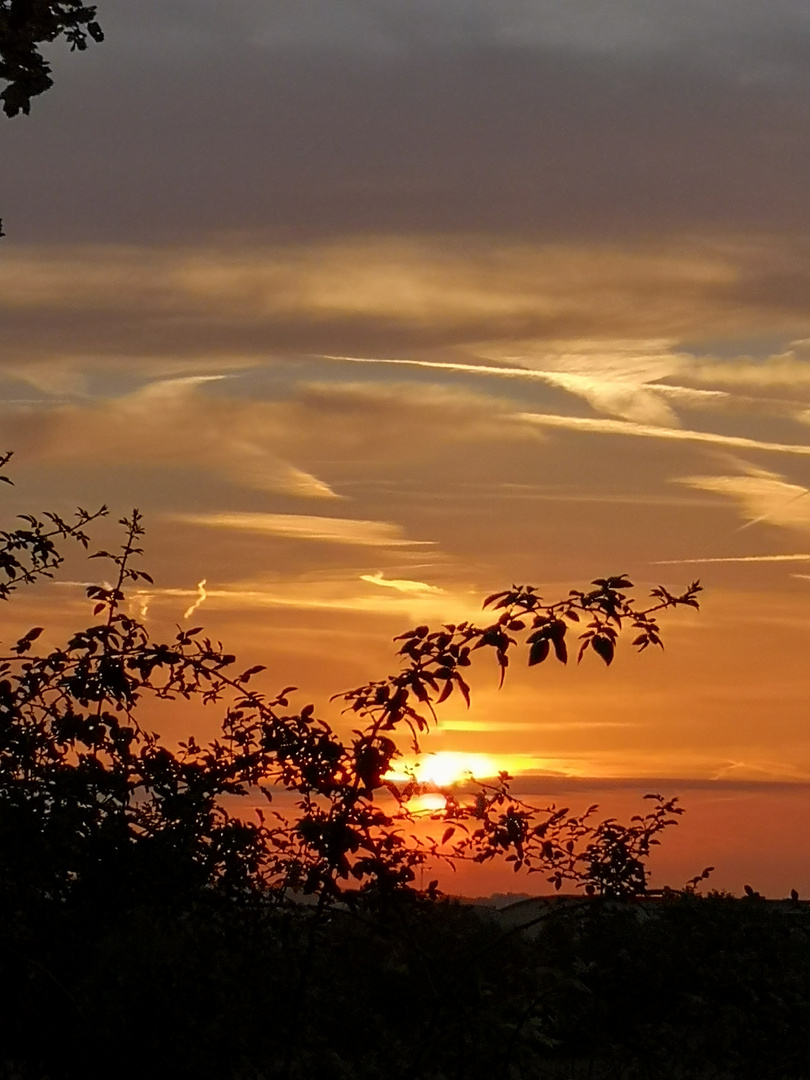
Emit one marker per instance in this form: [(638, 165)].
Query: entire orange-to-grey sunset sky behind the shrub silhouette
[(376, 308)]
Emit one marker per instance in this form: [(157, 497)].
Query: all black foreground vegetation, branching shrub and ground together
[(145, 930)]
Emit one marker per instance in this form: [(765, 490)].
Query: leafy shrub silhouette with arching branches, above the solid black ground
[(92, 801)]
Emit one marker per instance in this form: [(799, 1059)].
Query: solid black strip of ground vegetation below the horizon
[(687, 988)]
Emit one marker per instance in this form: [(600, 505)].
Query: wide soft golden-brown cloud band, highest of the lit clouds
[(470, 287)]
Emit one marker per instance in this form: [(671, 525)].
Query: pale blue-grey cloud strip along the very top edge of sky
[(369, 26)]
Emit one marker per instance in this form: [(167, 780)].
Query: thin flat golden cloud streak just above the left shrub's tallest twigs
[(307, 528)]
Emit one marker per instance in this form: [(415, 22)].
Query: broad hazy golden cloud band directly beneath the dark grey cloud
[(426, 282)]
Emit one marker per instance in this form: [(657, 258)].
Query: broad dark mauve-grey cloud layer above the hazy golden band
[(440, 138)]
